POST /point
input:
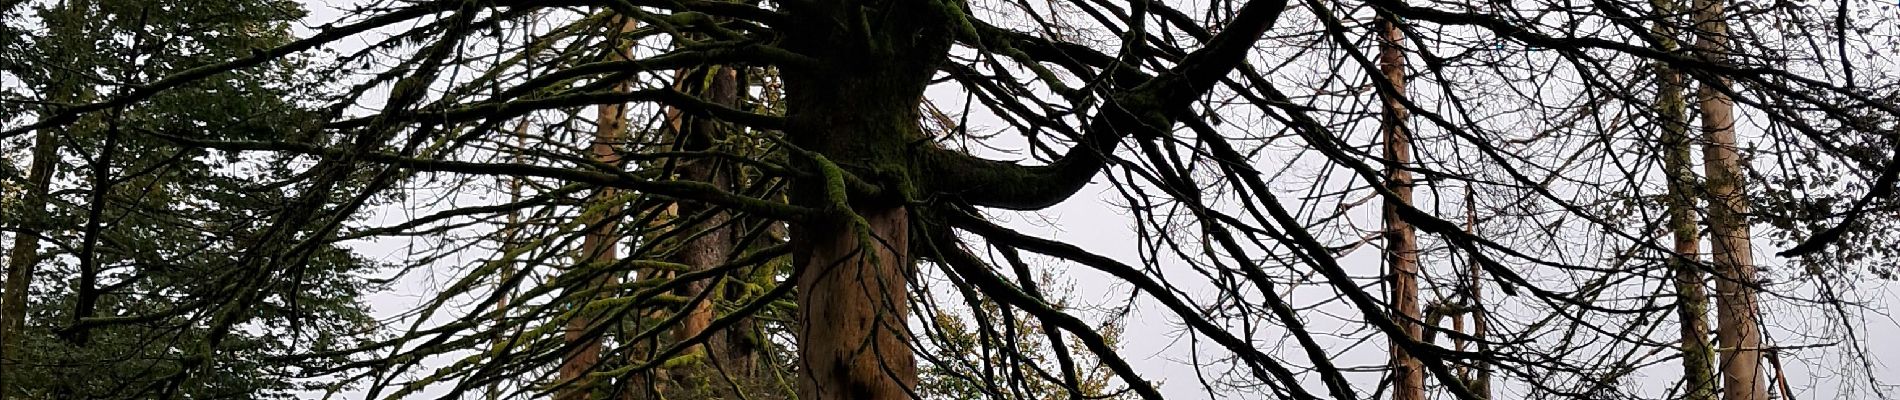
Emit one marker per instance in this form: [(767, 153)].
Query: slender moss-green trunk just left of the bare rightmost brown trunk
[(1692, 293)]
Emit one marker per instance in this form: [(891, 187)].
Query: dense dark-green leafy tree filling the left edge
[(140, 234)]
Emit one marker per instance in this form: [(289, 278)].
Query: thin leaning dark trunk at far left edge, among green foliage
[(24, 257)]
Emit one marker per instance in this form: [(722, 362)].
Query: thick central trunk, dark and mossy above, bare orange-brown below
[(858, 109)]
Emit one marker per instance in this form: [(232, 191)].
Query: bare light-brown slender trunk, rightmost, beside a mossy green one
[(1738, 329)]
